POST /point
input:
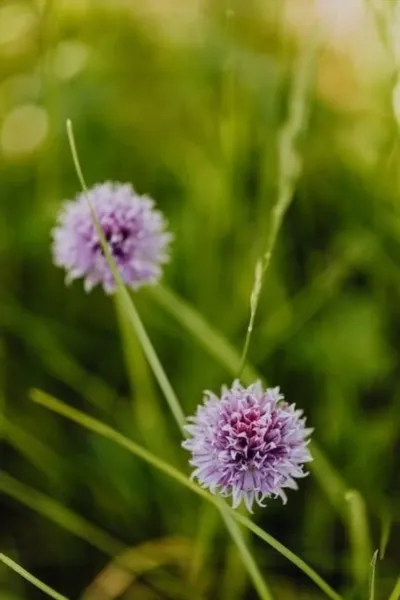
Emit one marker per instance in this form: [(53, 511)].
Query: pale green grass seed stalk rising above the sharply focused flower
[(289, 167)]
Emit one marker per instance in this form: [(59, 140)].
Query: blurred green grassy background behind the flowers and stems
[(186, 101)]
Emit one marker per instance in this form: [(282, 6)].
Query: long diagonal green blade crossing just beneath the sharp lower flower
[(104, 430)]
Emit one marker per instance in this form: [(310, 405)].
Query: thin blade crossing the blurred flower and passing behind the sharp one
[(127, 306)]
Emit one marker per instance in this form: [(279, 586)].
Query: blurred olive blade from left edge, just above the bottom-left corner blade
[(63, 516)]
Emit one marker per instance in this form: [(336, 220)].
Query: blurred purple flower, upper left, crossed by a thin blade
[(134, 230)]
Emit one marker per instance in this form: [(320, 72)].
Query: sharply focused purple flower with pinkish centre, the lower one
[(248, 444)]
